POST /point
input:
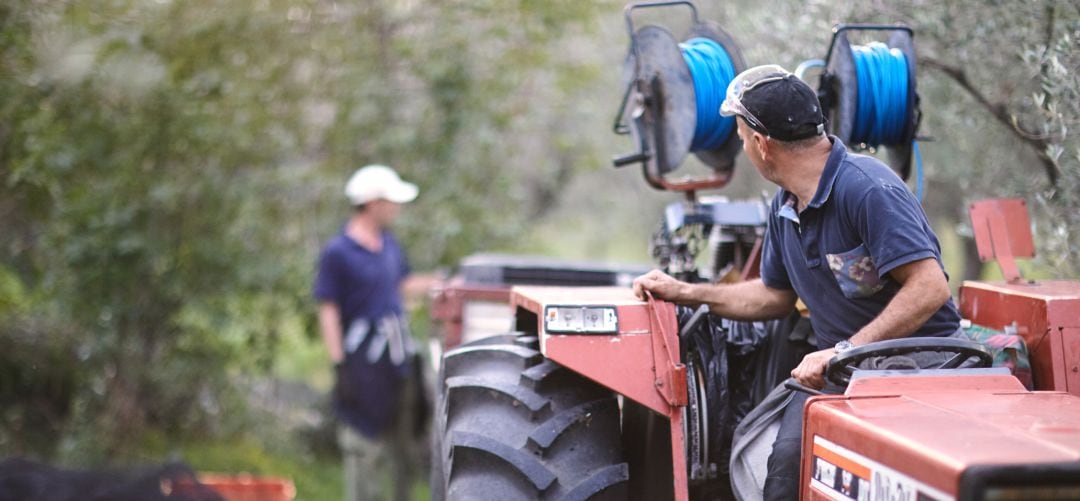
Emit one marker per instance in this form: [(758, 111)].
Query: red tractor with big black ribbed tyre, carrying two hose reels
[(596, 395)]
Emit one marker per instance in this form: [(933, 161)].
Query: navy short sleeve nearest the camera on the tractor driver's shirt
[(895, 228)]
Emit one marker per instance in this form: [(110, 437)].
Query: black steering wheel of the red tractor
[(842, 367)]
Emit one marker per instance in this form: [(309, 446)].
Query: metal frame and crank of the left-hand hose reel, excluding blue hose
[(659, 107)]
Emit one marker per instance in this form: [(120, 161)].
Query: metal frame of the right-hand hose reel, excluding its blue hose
[(839, 89)]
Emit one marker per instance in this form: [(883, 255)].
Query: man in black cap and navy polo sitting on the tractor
[(845, 235)]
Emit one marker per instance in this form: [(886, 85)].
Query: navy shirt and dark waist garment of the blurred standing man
[(366, 287)]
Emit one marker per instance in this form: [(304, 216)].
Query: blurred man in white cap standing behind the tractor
[(379, 395)]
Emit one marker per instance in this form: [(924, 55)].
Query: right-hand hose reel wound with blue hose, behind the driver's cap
[(869, 93)]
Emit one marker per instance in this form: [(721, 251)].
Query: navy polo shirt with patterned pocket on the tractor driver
[(838, 253)]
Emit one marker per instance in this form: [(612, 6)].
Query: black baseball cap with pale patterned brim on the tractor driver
[(776, 103)]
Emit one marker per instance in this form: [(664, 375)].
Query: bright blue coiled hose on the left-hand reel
[(711, 70)]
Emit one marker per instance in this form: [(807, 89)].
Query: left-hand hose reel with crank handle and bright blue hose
[(668, 107)]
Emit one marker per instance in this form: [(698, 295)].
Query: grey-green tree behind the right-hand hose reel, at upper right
[(1000, 96)]
